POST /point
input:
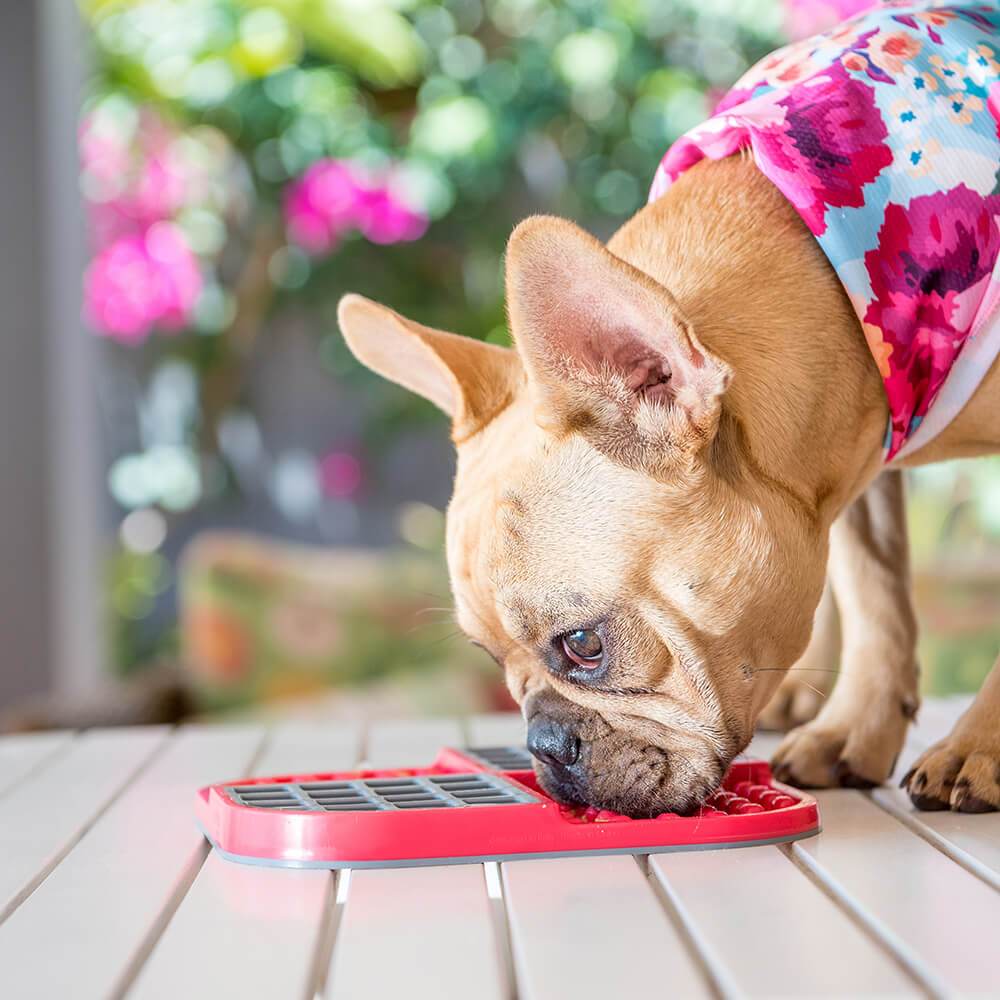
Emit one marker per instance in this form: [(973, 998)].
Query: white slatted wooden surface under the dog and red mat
[(107, 890)]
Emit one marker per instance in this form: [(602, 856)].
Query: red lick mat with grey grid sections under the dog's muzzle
[(480, 804)]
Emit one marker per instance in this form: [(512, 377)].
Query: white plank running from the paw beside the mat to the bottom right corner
[(940, 920)]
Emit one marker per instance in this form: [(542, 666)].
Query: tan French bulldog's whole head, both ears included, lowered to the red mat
[(642, 593)]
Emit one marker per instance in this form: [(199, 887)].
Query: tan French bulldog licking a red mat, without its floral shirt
[(648, 488)]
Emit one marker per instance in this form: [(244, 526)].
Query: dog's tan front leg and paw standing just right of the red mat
[(857, 735)]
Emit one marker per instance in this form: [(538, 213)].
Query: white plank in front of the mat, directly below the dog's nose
[(592, 927)]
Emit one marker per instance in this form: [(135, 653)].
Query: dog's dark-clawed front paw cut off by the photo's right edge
[(962, 773)]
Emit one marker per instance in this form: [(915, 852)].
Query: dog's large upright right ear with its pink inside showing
[(607, 349)]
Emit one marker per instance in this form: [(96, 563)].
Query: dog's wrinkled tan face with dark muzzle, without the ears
[(626, 613)]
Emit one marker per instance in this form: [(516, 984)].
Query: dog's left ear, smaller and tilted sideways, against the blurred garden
[(468, 379)]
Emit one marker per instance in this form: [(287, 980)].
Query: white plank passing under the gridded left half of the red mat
[(246, 931)]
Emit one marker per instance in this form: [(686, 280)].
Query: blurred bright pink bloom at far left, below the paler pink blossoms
[(143, 281)]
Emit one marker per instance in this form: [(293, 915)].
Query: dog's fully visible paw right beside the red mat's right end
[(828, 755)]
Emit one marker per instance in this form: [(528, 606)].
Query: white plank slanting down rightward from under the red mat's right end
[(742, 904)]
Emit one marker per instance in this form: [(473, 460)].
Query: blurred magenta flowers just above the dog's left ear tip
[(333, 197)]
